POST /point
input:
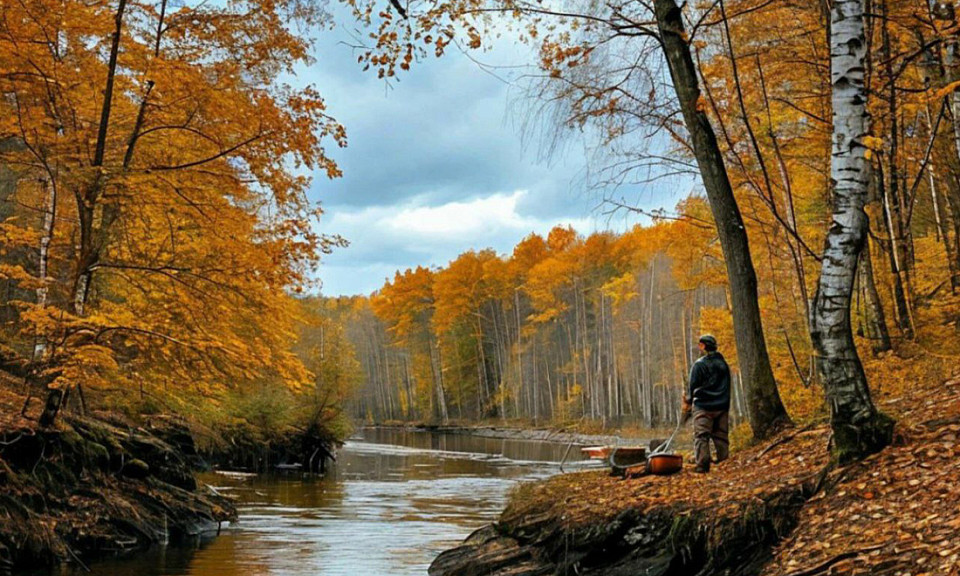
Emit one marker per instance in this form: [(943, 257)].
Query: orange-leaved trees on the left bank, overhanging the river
[(154, 213)]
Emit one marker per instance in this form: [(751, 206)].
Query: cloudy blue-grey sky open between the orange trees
[(437, 164)]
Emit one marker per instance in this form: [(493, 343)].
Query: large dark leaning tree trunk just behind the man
[(766, 408)]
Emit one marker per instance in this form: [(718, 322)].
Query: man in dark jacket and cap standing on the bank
[(709, 398)]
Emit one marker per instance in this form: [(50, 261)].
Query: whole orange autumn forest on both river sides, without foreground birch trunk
[(143, 254)]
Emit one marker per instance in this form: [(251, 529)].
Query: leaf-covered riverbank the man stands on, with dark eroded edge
[(778, 509)]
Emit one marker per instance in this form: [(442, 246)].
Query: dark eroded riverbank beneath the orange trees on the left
[(96, 486)]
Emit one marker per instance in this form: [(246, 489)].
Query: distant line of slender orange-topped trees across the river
[(565, 328)]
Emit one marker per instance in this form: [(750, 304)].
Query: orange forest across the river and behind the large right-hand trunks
[(602, 328)]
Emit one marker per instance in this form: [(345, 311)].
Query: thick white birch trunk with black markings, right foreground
[(859, 428)]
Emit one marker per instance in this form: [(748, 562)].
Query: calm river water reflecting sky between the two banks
[(392, 502)]
